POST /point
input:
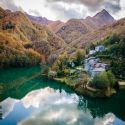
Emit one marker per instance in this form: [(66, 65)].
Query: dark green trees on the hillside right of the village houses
[(115, 53)]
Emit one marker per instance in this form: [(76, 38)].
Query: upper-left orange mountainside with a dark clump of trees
[(18, 24)]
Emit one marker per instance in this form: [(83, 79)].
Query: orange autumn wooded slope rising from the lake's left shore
[(13, 53)]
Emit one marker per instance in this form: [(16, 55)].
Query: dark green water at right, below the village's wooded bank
[(100, 107)]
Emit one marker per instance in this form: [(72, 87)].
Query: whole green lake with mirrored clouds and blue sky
[(27, 98)]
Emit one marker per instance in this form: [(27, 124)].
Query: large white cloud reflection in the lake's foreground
[(60, 109)]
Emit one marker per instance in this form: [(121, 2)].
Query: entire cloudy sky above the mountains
[(66, 9)]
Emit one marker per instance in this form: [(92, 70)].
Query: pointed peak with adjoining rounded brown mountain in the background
[(75, 28)]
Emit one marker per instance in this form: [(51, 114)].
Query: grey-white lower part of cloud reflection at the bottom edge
[(63, 114)]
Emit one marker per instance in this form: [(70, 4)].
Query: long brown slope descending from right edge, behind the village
[(117, 27)]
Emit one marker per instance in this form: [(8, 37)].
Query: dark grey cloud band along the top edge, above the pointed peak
[(94, 5)]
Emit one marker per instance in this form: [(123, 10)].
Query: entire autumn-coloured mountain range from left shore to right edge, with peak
[(29, 42)]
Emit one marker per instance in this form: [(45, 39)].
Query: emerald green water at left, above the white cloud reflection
[(20, 81)]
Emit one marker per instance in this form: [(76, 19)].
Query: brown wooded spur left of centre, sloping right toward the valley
[(49, 41)]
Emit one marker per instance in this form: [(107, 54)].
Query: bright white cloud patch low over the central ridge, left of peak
[(66, 11)]
